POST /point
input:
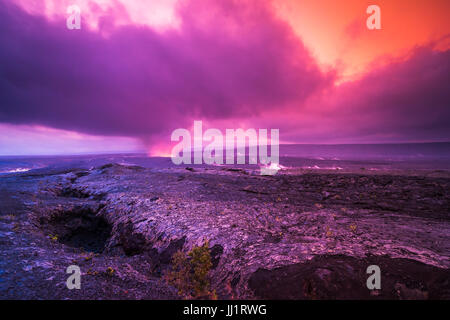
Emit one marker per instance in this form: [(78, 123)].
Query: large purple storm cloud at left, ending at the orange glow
[(226, 59)]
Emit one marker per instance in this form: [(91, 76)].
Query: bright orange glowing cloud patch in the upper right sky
[(336, 32)]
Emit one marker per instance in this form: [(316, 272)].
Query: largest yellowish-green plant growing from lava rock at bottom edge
[(190, 272)]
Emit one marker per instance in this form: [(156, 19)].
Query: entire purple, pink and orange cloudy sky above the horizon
[(137, 70)]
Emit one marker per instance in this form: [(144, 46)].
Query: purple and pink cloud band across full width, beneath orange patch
[(227, 63)]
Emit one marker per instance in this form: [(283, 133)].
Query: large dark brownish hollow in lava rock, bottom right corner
[(344, 277)]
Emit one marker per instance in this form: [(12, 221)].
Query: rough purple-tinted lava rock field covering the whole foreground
[(306, 235)]
